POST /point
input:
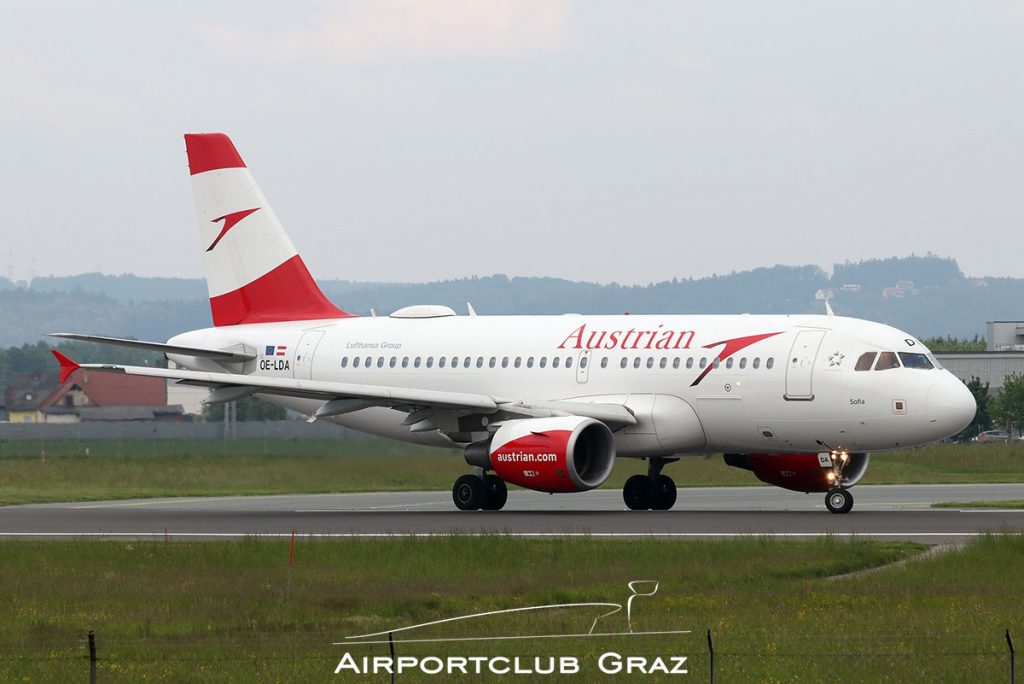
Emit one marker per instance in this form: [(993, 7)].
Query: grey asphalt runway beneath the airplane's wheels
[(893, 512)]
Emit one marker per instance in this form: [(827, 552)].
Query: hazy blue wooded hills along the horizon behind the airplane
[(927, 296)]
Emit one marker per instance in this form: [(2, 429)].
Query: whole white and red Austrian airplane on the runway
[(547, 403)]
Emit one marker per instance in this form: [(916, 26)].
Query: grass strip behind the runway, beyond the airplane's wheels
[(32, 473)]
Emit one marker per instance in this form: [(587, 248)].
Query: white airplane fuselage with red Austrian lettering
[(786, 383)]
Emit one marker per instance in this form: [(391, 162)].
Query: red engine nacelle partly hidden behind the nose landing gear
[(800, 473)]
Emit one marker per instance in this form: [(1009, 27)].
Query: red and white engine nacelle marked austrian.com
[(562, 454)]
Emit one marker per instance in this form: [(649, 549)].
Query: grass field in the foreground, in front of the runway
[(780, 611)]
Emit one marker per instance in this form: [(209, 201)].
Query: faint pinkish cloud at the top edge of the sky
[(407, 29)]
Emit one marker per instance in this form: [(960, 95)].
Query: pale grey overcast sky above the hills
[(415, 141)]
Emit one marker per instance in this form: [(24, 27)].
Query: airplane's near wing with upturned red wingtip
[(429, 410)]
